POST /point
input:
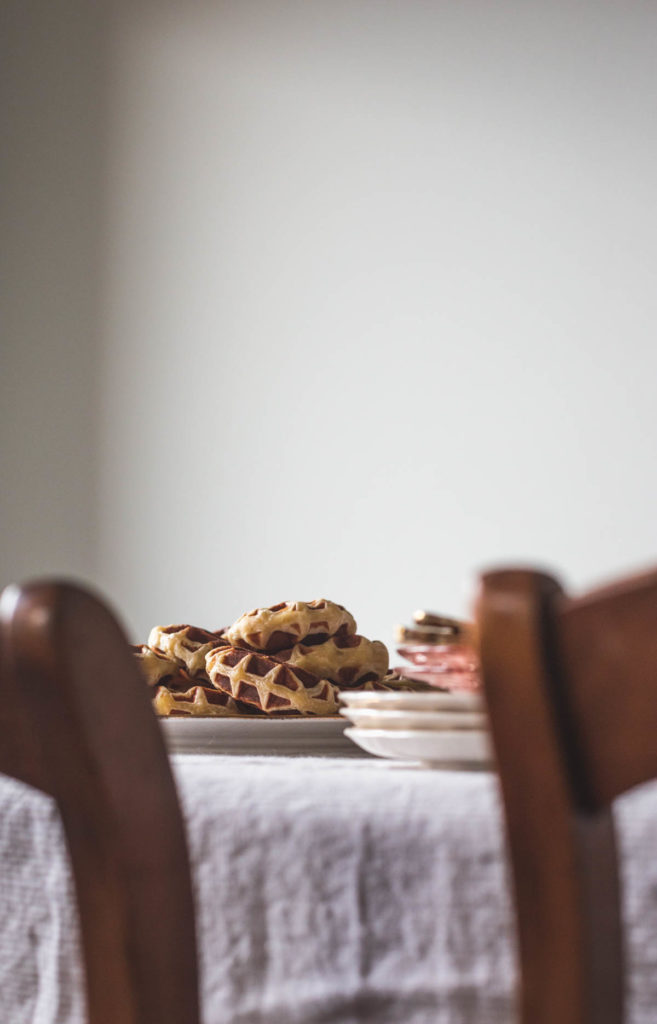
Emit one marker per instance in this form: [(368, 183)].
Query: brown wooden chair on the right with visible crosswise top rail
[(572, 688)]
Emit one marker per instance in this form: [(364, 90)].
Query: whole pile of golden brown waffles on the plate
[(292, 659)]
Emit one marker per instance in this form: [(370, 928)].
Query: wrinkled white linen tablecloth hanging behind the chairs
[(329, 892)]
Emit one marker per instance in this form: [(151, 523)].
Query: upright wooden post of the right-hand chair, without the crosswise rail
[(562, 849)]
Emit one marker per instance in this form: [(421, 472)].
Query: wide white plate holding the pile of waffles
[(311, 737)]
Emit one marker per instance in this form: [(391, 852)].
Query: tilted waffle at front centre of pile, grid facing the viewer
[(269, 685)]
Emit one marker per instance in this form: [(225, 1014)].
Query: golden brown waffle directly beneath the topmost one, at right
[(347, 660)]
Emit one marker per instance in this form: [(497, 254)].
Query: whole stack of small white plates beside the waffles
[(446, 730)]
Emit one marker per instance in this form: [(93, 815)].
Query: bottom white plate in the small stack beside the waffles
[(458, 749)]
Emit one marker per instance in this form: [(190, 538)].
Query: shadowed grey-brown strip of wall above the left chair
[(51, 107)]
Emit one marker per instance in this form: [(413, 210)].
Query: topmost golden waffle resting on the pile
[(283, 626)]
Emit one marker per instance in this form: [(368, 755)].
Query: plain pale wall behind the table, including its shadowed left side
[(324, 298)]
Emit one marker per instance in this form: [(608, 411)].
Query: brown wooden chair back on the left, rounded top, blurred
[(76, 722)]
